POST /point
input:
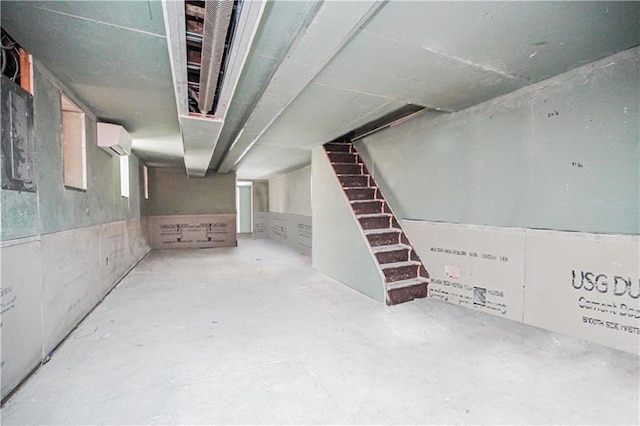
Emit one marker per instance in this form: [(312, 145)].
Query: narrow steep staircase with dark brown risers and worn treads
[(404, 275)]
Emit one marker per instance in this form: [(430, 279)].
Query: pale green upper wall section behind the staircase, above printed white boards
[(291, 192)]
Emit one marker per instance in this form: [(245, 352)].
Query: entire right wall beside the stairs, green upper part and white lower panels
[(472, 187)]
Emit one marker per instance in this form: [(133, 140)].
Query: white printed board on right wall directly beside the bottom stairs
[(478, 267)]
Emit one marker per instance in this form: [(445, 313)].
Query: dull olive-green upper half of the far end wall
[(171, 192)]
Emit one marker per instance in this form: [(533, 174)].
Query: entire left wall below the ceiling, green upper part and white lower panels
[(62, 250)]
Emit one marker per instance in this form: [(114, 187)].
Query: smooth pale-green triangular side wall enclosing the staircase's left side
[(339, 248)]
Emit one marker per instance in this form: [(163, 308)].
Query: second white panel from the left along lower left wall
[(70, 281)]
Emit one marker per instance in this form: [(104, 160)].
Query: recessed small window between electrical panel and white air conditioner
[(74, 145)]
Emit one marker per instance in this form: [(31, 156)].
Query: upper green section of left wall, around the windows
[(53, 207)]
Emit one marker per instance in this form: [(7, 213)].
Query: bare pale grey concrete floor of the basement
[(254, 335)]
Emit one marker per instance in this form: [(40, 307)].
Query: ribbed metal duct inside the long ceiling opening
[(216, 25)]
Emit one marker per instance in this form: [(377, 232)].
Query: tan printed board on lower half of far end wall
[(193, 231)]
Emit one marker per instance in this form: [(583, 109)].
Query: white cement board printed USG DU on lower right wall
[(585, 285)]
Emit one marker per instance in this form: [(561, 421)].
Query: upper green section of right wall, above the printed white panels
[(562, 154)]
